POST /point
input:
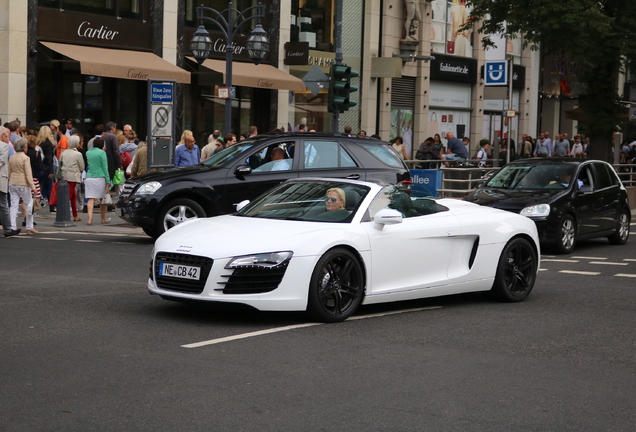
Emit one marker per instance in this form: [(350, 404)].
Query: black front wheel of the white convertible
[(336, 287)]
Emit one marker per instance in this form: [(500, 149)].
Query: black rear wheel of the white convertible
[(516, 271)]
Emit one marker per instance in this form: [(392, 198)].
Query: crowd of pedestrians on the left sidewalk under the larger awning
[(34, 161)]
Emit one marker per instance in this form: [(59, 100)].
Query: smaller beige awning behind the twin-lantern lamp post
[(257, 76)]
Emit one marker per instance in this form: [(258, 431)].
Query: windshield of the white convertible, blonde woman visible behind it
[(315, 201)]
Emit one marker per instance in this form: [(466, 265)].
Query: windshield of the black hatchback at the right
[(533, 176)]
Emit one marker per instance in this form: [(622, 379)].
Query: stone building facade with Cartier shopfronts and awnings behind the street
[(420, 72)]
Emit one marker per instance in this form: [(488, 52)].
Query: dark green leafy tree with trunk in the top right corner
[(600, 35)]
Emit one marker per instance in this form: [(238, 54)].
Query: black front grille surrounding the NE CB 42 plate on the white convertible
[(178, 284)]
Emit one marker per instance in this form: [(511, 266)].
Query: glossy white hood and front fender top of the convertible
[(230, 235)]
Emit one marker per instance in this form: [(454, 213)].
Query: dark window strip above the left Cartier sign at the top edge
[(132, 9)]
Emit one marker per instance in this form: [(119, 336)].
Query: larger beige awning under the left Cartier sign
[(123, 64)]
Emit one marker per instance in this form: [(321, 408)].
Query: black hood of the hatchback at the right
[(512, 199)]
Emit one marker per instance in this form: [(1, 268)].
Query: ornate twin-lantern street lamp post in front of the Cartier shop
[(229, 22)]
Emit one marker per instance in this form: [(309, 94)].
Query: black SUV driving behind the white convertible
[(158, 201)]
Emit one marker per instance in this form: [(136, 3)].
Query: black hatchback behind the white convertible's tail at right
[(569, 199)]
